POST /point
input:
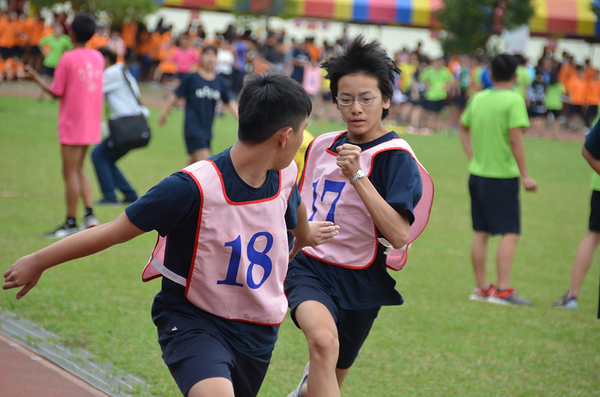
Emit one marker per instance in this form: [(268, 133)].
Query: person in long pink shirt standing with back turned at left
[(78, 84)]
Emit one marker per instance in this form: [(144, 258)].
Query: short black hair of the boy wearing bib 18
[(268, 103)]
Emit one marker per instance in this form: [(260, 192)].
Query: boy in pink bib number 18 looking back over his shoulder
[(209, 354)]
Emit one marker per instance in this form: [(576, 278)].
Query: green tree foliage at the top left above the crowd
[(116, 11)]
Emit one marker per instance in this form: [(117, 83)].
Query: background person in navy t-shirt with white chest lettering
[(201, 91)]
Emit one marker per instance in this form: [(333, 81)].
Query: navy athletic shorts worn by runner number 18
[(194, 350)]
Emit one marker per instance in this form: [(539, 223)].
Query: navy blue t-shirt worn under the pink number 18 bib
[(172, 208)]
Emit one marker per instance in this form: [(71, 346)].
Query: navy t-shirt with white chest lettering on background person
[(201, 97)]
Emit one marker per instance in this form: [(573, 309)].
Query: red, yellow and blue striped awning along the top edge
[(551, 17)]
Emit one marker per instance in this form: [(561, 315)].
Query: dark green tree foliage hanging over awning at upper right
[(469, 24)]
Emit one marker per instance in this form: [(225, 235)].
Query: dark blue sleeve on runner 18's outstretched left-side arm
[(167, 205)]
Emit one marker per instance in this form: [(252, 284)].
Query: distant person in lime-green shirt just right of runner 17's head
[(437, 79)]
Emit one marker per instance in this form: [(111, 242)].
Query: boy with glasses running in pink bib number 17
[(368, 181)]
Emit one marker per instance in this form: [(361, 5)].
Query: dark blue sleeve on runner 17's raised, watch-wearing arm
[(396, 177)]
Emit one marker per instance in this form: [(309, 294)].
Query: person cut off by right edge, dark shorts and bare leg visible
[(585, 253)]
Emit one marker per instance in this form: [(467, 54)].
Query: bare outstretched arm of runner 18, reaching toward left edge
[(26, 271)]
